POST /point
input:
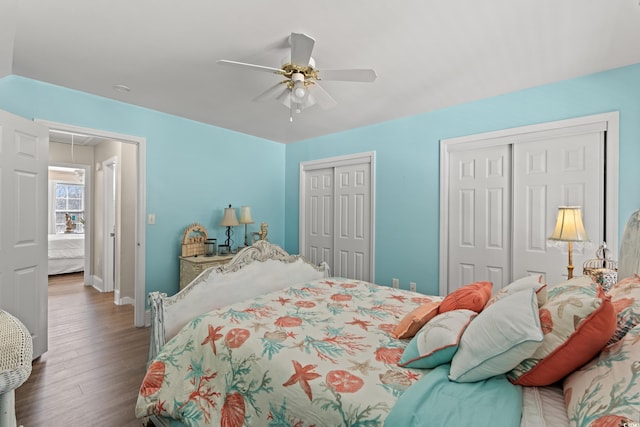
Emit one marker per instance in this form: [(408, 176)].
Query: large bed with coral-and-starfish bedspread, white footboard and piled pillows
[(272, 340)]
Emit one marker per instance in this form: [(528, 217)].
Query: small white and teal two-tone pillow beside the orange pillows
[(437, 341)]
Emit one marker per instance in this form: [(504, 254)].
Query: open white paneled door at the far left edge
[(24, 152)]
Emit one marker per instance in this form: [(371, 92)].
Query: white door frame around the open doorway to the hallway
[(140, 214)]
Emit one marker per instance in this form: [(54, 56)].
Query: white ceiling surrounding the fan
[(428, 54)]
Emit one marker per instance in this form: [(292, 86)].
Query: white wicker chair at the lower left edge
[(16, 351)]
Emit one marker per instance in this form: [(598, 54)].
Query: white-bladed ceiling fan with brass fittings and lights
[(300, 88)]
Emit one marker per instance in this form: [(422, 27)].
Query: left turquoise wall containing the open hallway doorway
[(193, 170)]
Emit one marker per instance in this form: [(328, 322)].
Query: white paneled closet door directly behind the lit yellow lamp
[(564, 170)]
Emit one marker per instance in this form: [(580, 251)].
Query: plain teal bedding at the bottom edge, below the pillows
[(436, 401)]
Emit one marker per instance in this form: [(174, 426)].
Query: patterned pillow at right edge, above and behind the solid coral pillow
[(625, 296)]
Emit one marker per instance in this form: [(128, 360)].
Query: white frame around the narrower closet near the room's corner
[(333, 162)]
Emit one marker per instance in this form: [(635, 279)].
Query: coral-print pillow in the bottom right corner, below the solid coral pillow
[(606, 388)]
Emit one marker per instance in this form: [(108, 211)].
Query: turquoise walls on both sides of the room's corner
[(194, 170)]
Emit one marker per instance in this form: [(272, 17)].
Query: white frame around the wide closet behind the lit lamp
[(523, 134)]
